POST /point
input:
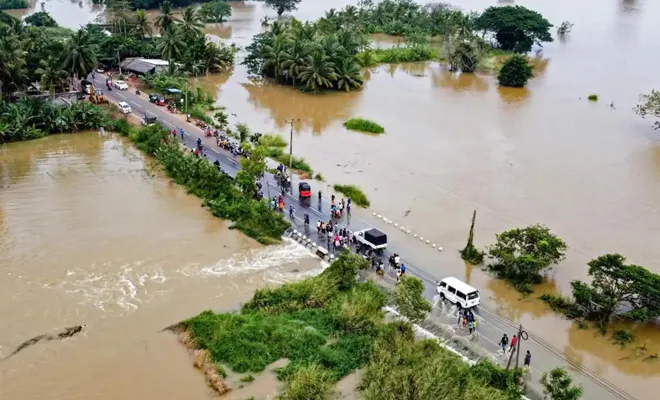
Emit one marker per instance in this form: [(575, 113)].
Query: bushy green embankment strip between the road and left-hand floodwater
[(201, 178)]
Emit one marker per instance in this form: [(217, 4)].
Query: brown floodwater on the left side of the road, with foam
[(88, 235)]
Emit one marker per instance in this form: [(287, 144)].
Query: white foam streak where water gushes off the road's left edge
[(252, 261)]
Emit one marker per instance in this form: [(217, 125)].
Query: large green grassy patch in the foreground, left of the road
[(328, 326)]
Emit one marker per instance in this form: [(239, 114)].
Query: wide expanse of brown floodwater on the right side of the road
[(458, 142)]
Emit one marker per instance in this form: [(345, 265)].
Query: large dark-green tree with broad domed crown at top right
[(516, 28)]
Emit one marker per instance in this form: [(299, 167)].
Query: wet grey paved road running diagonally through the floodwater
[(491, 326)]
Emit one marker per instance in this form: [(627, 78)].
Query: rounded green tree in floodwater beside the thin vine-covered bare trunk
[(522, 254)]
